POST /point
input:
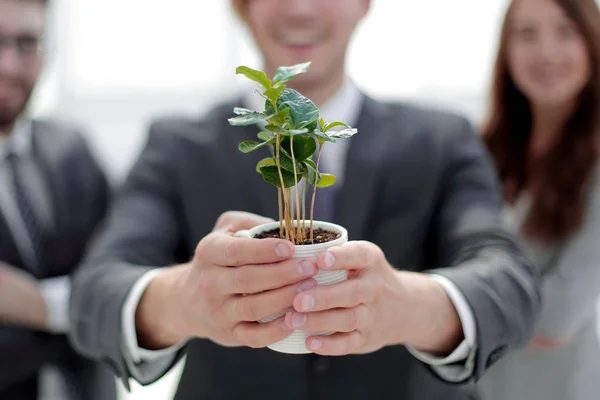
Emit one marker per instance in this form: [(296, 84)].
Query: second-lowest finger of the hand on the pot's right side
[(338, 320)]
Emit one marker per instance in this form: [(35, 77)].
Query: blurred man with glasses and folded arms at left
[(53, 195)]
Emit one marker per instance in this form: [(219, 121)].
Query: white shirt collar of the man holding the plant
[(343, 106)]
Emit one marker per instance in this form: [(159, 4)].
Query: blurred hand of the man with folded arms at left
[(21, 301)]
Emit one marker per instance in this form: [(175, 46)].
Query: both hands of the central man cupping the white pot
[(233, 282)]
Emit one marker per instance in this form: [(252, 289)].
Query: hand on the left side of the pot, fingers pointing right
[(230, 284)]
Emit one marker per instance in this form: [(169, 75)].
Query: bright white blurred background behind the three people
[(114, 64)]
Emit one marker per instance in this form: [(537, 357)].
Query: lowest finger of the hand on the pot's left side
[(257, 335)]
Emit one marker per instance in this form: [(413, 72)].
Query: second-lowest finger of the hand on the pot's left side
[(260, 306)]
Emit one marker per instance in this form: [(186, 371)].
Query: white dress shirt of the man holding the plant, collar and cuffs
[(344, 106)]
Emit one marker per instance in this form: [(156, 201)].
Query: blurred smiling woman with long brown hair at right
[(543, 132)]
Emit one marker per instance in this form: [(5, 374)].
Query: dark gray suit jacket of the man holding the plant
[(418, 183)]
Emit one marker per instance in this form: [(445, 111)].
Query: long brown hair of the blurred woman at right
[(557, 180)]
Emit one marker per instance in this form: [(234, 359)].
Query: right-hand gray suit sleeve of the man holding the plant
[(483, 260)]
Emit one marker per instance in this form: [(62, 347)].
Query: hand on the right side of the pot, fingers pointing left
[(377, 306)]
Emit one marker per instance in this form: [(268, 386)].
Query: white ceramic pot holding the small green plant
[(296, 342)]
